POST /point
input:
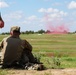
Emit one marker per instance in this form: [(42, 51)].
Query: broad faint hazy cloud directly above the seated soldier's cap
[(12, 17)]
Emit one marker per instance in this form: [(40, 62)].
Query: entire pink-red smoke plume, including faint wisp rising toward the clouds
[(55, 26)]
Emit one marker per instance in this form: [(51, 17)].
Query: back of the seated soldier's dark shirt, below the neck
[(12, 50)]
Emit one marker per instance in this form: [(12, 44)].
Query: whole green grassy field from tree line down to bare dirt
[(52, 47)]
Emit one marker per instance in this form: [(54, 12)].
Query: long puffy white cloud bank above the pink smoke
[(53, 13)]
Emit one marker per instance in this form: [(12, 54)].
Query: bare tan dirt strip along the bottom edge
[(44, 72)]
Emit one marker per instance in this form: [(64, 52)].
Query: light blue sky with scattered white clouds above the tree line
[(38, 14)]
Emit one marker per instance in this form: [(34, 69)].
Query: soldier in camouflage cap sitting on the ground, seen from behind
[(15, 51)]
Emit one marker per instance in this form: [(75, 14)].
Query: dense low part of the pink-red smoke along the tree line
[(59, 29)]
